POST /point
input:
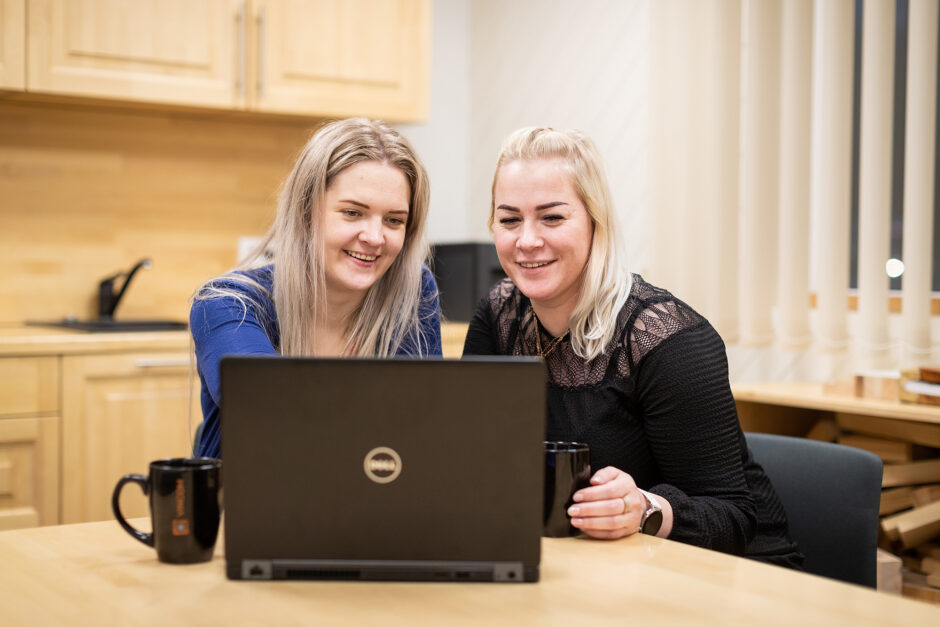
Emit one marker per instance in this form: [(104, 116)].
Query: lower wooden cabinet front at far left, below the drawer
[(29, 472)]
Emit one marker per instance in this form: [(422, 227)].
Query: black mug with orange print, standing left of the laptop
[(185, 507)]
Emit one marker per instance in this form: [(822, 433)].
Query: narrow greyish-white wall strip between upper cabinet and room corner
[(443, 141)]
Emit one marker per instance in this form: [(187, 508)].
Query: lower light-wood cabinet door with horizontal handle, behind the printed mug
[(119, 413)]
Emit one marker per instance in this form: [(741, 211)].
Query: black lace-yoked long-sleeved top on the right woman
[(656, 404)]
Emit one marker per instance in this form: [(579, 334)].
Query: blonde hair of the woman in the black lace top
[(606, 280)]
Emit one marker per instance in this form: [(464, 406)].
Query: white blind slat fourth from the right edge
[(795, 115)]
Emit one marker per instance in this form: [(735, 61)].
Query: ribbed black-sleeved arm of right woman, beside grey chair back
[(692, 427)]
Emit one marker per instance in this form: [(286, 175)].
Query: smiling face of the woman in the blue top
[(363, 219)]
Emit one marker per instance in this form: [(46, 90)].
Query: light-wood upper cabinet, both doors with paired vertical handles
[(326, 58)]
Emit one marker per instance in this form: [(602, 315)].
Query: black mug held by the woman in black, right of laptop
[(567, 470)]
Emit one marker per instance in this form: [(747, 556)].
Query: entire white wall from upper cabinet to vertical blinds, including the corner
[(498, 65)]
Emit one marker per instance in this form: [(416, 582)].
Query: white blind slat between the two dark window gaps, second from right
[(874, 198)]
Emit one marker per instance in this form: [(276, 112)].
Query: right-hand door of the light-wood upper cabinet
[(337, 58)]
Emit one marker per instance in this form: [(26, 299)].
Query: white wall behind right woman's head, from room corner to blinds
[(566, 65)]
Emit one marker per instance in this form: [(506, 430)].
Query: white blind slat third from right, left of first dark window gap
[(832, 130)]
